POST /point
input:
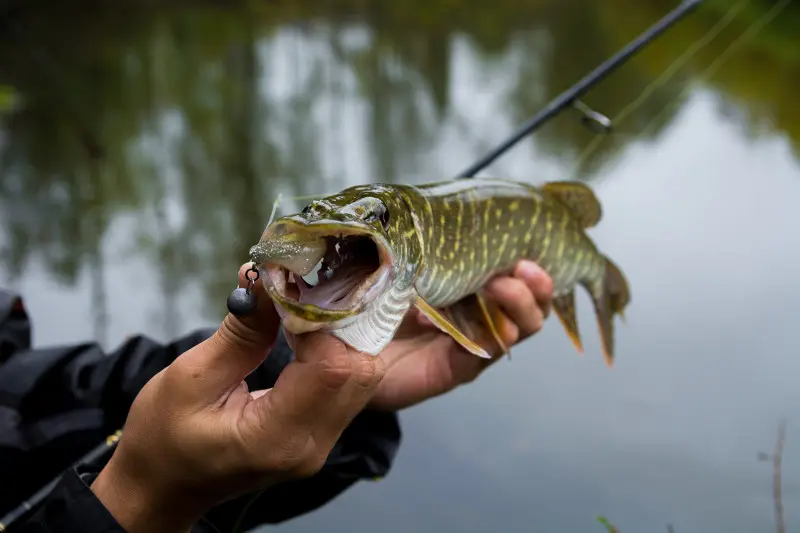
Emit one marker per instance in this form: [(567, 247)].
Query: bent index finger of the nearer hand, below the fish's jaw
[(321, 390)]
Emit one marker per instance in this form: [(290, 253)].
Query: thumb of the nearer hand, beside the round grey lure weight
[(238, 347)]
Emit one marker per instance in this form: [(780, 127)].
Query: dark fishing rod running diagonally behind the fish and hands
[(592, 119)]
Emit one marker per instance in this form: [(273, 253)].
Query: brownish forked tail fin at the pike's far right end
[(610, 297)]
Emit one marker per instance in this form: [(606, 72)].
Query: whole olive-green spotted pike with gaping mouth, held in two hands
[(380, 249)]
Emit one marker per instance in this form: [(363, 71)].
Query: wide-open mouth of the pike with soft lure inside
[(331, 273)]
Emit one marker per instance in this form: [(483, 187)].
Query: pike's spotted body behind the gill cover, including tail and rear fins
[(473, 230)]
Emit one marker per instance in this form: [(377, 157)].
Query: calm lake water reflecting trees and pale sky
[(141, 154)]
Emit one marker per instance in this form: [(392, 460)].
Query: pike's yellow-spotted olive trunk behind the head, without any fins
[(473, 230)]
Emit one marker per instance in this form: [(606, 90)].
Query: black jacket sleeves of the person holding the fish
[(57, 404)]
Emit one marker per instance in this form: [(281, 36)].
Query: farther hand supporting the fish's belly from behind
[(423, 362)]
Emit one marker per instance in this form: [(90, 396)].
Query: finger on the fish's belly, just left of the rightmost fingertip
[(518, 304)]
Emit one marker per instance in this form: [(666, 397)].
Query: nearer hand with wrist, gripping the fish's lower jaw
[(195, 436)]
